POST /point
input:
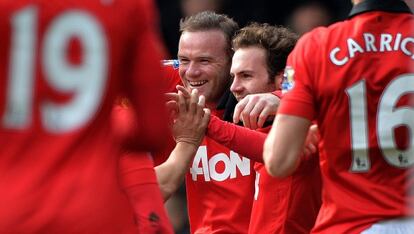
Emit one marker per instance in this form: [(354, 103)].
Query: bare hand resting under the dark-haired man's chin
[(255, 109)]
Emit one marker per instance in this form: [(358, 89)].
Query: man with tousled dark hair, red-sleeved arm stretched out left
[(288, 205)]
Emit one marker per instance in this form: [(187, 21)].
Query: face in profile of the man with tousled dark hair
[(249, 73)]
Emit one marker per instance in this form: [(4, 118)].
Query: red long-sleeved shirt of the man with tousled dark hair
[(288, 205)]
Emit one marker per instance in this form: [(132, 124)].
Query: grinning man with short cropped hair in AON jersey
[(219, 182)]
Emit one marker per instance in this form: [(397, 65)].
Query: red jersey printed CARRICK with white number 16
[(355, 77)]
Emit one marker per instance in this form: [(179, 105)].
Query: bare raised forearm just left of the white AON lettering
[(170, 174)]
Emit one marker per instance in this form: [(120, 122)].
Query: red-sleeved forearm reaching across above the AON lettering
[(244, 141)]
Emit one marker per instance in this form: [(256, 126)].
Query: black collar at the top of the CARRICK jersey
[(379, 5)]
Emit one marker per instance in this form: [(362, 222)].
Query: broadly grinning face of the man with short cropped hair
[(204, 63)]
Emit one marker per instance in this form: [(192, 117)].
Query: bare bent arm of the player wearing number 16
[(284, 144)]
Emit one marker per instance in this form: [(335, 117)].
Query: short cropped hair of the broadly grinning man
[(208, 20)]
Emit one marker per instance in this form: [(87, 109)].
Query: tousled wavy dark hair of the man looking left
[(277, 41)]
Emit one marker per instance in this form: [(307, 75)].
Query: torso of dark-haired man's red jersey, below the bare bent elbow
[(286, 205)]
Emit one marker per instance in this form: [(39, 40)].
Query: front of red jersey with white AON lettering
[(220, 188)]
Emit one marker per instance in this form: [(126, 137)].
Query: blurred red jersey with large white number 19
[(62, 65)]
